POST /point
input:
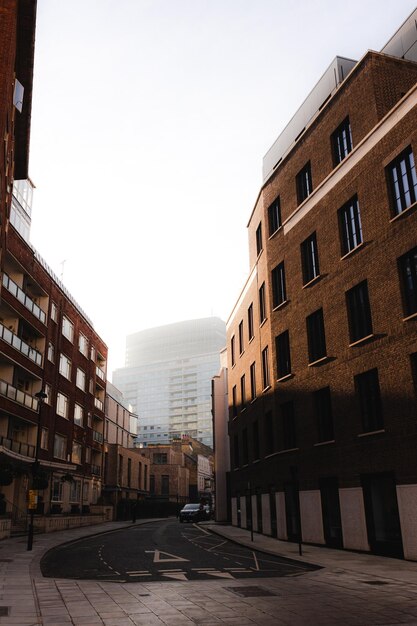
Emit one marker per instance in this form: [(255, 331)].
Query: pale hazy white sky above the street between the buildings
[(150, 119)]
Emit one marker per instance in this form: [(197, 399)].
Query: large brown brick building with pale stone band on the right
[(322, 343)]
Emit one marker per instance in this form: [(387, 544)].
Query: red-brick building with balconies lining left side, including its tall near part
[(47, 343)]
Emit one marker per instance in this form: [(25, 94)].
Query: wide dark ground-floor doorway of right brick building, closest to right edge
[(382, 517)]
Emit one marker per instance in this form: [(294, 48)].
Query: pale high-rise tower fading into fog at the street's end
[(167, 378)]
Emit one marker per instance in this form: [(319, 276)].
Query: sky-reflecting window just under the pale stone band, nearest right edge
[(402, 181)]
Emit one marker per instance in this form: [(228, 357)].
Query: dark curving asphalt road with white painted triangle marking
[(163, 551)]
